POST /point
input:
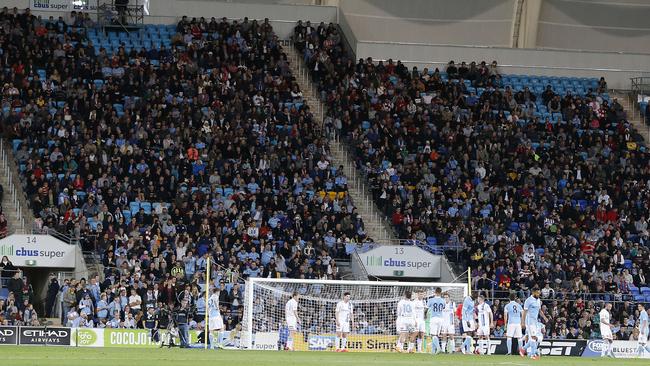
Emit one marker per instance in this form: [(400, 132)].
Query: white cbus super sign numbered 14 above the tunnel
[(38, 251)]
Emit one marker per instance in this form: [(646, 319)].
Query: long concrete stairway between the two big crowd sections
[(377, 226)]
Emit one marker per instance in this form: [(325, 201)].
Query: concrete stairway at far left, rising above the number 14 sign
[(14, 205)]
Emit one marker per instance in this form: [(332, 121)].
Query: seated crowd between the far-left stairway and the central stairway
[(160, 160)]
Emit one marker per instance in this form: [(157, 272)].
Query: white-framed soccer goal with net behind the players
[(374, 307)]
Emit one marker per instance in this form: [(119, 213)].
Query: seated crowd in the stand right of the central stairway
[(559, 203)]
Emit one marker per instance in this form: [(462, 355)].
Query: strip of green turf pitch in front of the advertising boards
[(54, 356)]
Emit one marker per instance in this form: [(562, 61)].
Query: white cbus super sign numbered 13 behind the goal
[(400, 261)]
